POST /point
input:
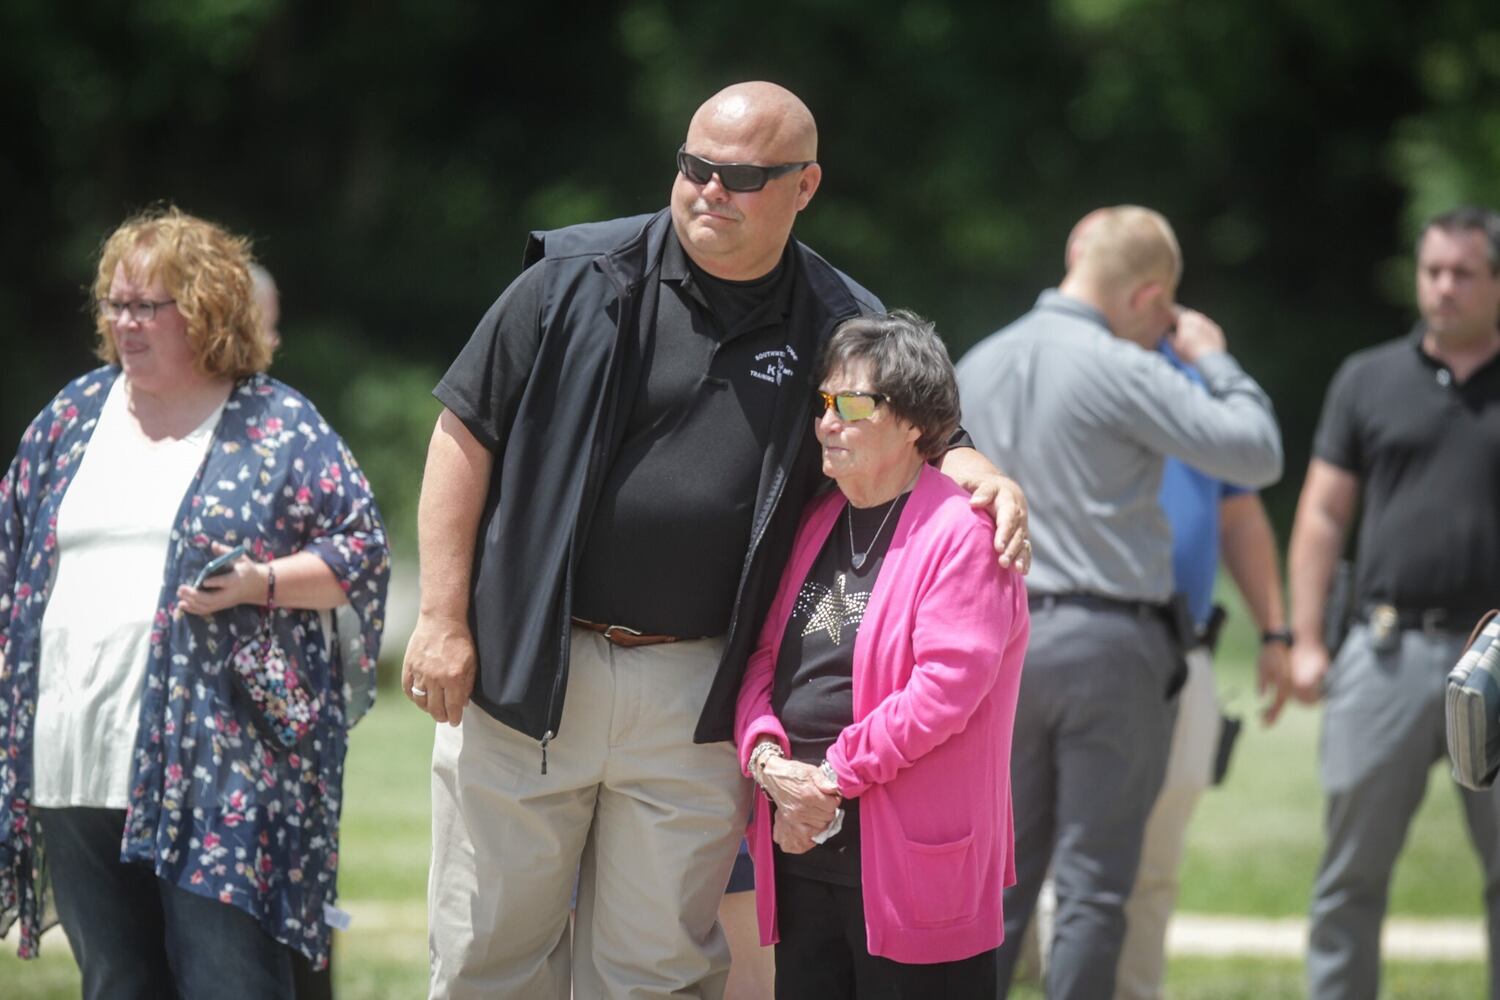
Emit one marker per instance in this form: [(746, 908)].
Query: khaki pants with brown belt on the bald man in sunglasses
[(647, 821)]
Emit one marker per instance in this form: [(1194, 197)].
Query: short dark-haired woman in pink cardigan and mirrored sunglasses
[(877, 711)]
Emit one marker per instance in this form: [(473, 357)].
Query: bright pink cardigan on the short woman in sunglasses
[(937, 669)]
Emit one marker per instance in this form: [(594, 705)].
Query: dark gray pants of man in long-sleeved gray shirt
[(1093, 731)]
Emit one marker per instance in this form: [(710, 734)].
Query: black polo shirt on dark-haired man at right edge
[(1427, 454)]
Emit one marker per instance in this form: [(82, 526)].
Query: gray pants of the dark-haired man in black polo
[(1382, 734)]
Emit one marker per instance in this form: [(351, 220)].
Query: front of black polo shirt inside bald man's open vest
[(668, 540)]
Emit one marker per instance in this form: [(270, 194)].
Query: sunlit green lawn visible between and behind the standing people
[(1253, 851)]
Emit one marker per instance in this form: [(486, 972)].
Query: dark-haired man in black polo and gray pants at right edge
[(1414, 427)]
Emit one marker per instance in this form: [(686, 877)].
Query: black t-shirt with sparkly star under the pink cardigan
[(814, 690)]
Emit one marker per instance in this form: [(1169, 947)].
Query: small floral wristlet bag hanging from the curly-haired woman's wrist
[(272, 680)]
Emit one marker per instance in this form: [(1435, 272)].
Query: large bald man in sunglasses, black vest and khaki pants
[(611, 491)]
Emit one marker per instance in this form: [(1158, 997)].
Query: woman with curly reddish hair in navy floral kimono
[(172, 747)]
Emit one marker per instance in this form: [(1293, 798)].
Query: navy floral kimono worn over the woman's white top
[(215, 807)]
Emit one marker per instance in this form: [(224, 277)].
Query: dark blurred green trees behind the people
[(389, 158)]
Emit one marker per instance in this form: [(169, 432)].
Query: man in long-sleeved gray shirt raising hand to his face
[(1078, 404)]
